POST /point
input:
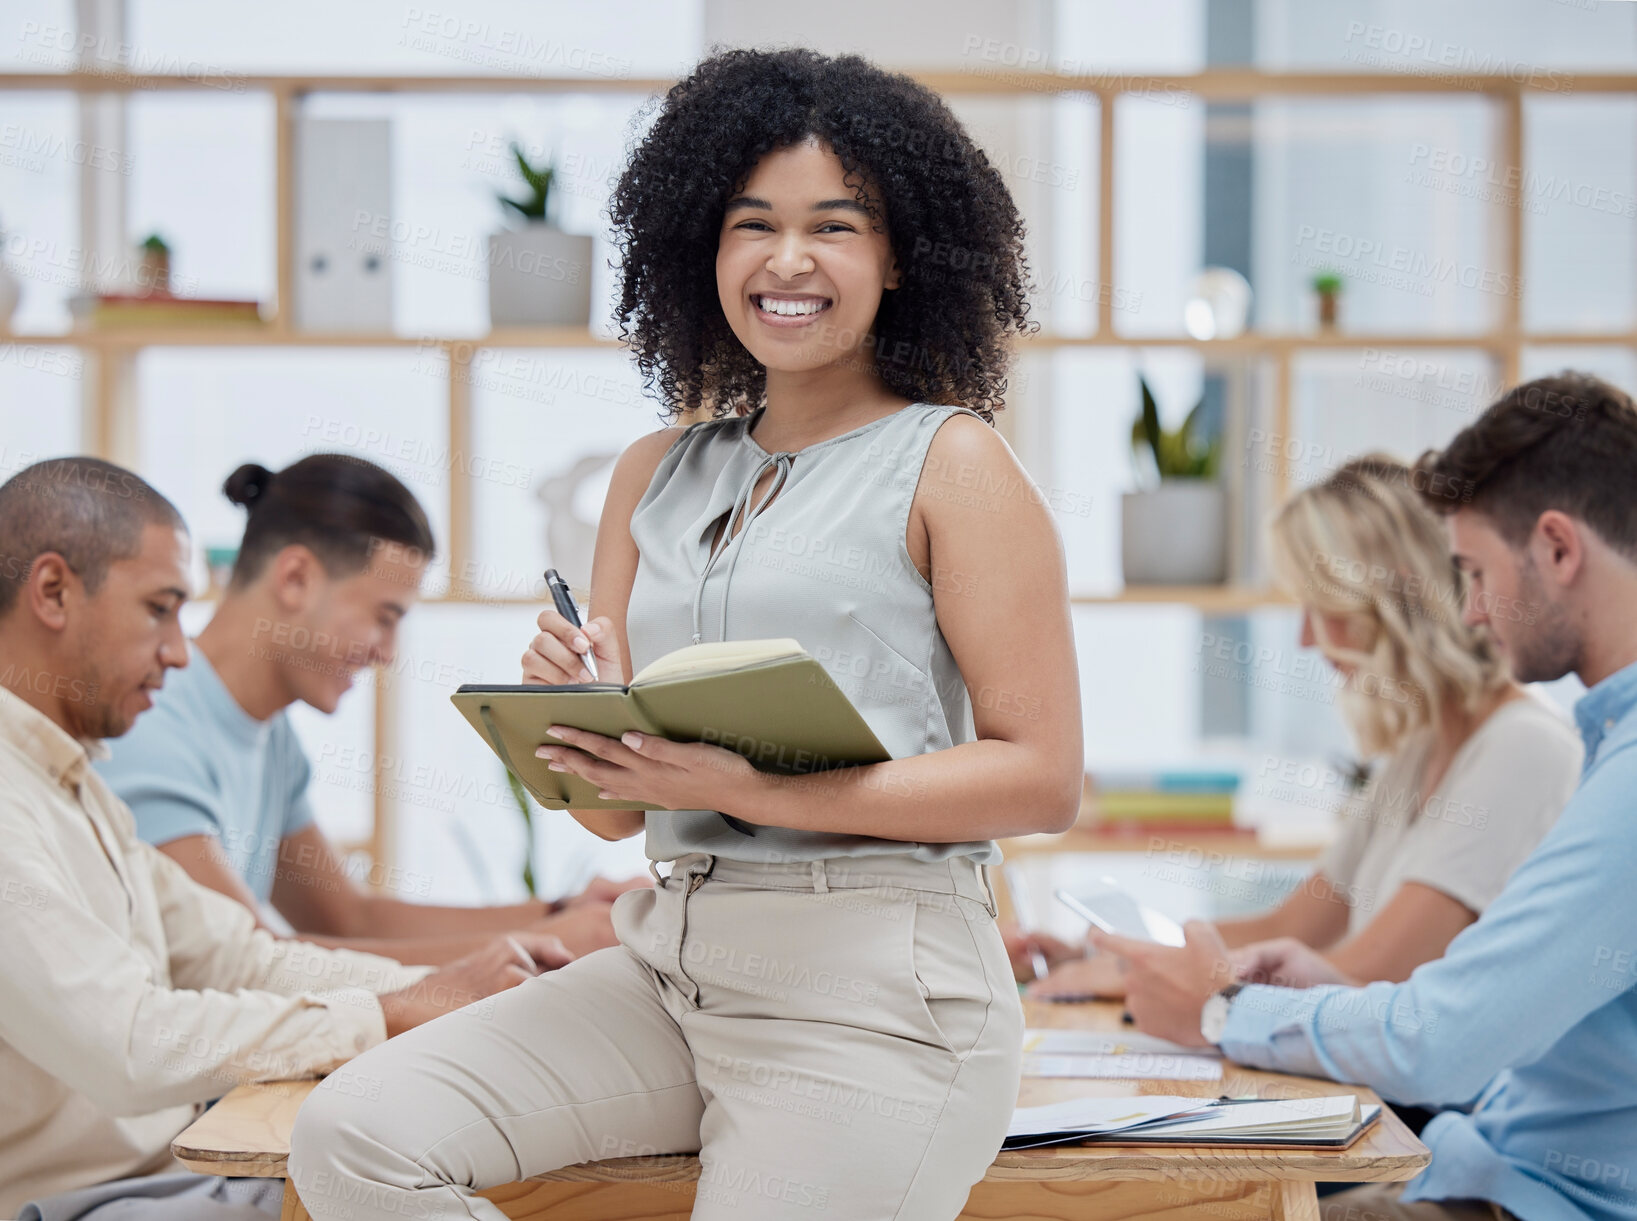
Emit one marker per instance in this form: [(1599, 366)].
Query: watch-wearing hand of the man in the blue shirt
[(1168, 986)]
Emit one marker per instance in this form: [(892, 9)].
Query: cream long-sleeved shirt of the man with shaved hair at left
[(130, 994)]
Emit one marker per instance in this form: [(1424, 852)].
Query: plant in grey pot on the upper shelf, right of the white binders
[(539, 276)]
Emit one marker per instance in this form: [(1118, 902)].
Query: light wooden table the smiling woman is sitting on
[(248, 1133)]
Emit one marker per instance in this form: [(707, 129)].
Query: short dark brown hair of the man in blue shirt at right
[(1564, 443)]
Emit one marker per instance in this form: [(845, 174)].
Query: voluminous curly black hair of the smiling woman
[(944, 336)]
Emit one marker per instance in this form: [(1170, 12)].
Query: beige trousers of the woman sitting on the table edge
[(834, 1039)]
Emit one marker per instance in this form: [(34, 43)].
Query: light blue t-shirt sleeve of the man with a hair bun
[(158, 768)]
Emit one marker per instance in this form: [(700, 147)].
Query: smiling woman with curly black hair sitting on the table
[(814, 998)]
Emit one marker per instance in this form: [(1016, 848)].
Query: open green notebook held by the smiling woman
[(767, 700)]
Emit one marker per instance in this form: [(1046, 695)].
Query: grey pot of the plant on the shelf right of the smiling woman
[(1175, 534)]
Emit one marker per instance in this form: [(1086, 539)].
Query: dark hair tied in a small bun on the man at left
[(335, 505)]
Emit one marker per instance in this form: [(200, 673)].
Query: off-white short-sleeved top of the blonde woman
[(1499, 796)]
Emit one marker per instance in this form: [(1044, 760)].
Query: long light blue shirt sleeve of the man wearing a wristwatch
[(1507, 989)]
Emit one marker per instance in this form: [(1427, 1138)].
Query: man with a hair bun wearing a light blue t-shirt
[(331, 562)]
